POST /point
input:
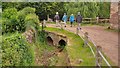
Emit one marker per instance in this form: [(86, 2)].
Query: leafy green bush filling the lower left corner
[(16, 51)]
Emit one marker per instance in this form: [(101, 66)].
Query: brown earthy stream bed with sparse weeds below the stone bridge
[(48, 57)]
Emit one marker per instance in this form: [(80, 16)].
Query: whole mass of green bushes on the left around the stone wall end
[(16, 51)]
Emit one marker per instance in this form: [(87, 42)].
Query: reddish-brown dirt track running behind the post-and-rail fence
[(107, 40)]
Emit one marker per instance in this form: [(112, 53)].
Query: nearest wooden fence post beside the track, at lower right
[(98, 56)]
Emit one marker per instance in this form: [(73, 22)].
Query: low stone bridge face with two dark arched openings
[(56, 39)]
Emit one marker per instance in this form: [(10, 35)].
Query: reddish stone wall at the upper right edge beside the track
[(114, 15)]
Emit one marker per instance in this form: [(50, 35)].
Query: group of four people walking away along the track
[(78, 19)]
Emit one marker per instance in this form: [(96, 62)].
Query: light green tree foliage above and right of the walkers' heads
[(86, 9)]
